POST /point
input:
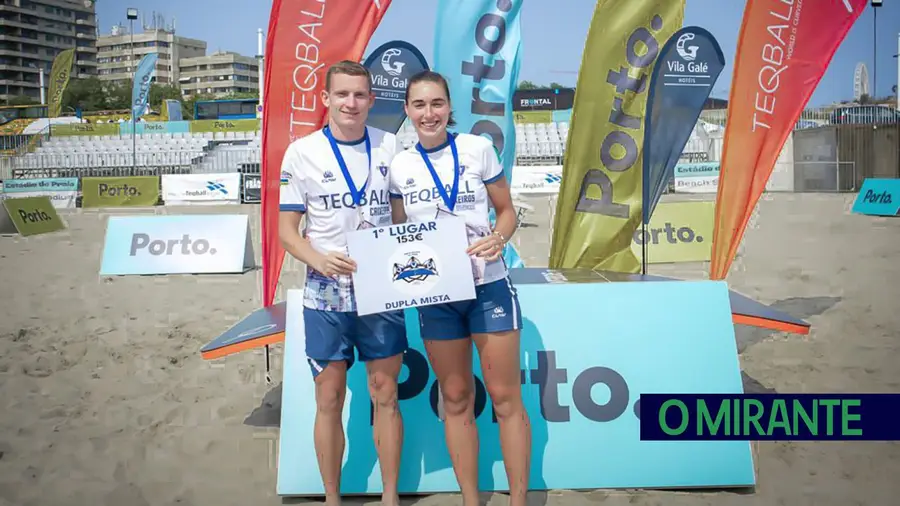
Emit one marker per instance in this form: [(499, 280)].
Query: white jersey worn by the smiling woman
[(412, 181)]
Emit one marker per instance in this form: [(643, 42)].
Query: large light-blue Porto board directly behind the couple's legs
[(582, 391)]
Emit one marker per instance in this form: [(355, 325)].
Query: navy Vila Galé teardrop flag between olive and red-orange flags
[(686, 71)]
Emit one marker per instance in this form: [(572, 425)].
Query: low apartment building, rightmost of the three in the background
[(220, 73)]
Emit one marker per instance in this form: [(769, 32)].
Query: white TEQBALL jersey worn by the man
[(313, 183)]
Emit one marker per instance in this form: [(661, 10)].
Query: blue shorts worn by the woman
[(494, 309)]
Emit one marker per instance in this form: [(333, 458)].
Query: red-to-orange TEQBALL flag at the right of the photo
[(783, 50)]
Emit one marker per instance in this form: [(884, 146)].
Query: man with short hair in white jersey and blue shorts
[(338, 178)]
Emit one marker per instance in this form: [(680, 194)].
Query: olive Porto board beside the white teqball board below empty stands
[(128, 191)]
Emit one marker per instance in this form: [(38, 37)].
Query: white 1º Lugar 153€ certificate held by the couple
[(410, 265)]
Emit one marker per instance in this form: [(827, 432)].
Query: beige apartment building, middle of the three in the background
[(114, 54)]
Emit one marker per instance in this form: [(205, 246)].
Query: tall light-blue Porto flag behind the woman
[(478, 48)]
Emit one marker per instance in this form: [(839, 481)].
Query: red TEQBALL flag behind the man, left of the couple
[(305, 38)]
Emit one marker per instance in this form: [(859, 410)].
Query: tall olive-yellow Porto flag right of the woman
[(599, 205)]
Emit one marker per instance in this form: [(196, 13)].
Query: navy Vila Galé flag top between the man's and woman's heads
[(391, 66)]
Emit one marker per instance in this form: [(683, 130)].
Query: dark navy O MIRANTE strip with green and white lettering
[(770, 417)]
